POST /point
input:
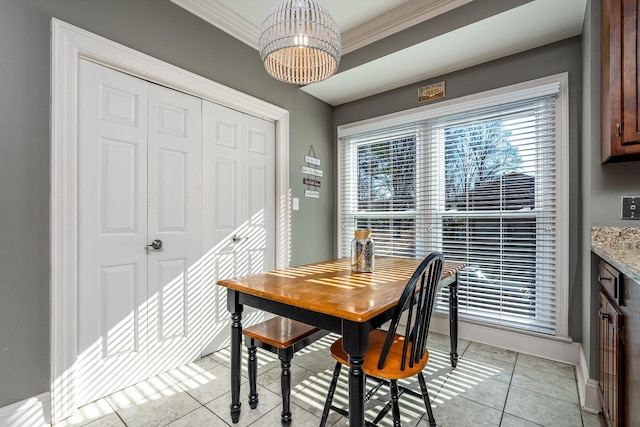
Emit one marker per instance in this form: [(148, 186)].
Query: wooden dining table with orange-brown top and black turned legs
[(329, 296)]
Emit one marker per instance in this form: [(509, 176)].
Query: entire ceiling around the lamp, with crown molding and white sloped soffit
[(489, 29)]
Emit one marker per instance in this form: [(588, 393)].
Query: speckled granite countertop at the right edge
[(619, 246)]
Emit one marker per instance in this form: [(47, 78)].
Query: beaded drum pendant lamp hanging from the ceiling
[(300, 42)]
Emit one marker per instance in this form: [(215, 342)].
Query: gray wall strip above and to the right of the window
[(563, 56)]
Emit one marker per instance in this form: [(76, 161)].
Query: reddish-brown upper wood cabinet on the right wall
[(620, 73)]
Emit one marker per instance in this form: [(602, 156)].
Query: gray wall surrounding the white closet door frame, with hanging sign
[(160, 29)]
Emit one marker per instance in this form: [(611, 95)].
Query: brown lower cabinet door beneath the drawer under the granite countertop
[(611, 362)]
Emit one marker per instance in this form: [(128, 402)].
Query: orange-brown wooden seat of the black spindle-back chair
[(391, 369)]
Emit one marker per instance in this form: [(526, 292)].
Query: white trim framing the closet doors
[(68, 45)]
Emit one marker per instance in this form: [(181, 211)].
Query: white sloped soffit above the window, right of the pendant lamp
[(531, 25)]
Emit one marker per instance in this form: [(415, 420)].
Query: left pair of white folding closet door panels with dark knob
[(140, 181)]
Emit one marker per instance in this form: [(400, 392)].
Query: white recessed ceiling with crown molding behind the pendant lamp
[(361, 22)]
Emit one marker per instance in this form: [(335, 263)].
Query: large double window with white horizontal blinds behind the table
[(479, 179)]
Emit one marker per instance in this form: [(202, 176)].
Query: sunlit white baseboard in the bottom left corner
[(35, 411)]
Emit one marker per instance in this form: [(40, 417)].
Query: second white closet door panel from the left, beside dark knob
[(175, 218)]
